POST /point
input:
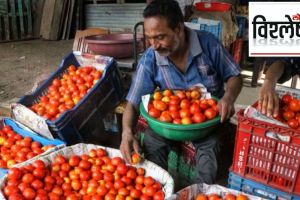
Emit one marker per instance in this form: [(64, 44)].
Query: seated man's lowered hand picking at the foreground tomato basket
[(128, 145)]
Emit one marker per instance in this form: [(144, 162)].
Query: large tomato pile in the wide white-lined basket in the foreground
[(91, 176)]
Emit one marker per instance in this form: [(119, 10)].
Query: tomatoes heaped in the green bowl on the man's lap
[(182, 107)]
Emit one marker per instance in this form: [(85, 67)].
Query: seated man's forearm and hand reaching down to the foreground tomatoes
[(129, 141)]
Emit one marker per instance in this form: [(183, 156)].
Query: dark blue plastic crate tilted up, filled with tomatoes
[(102, 97)]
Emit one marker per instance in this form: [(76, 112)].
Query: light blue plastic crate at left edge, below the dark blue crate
[(26, 133)]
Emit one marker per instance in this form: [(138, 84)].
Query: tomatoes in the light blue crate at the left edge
[(15, 148)]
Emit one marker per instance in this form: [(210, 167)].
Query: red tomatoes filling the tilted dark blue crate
[(65, 92)]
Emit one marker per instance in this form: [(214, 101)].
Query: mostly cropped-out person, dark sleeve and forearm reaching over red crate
[(280, 70)]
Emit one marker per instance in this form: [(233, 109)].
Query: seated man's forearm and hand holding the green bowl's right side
[(226, 105)]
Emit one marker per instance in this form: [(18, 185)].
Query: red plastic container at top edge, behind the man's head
[(212, 6)]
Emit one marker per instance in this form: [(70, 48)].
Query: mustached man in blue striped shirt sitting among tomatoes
[(179, 58)]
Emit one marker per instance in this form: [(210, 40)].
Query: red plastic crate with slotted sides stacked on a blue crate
[(273, 160)]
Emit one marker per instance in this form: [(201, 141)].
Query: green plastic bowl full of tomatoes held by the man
[(180, 132)]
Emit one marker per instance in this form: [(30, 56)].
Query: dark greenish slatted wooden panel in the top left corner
[(15, 20)]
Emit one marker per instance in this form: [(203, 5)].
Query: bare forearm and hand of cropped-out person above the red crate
[(268, 101)]
